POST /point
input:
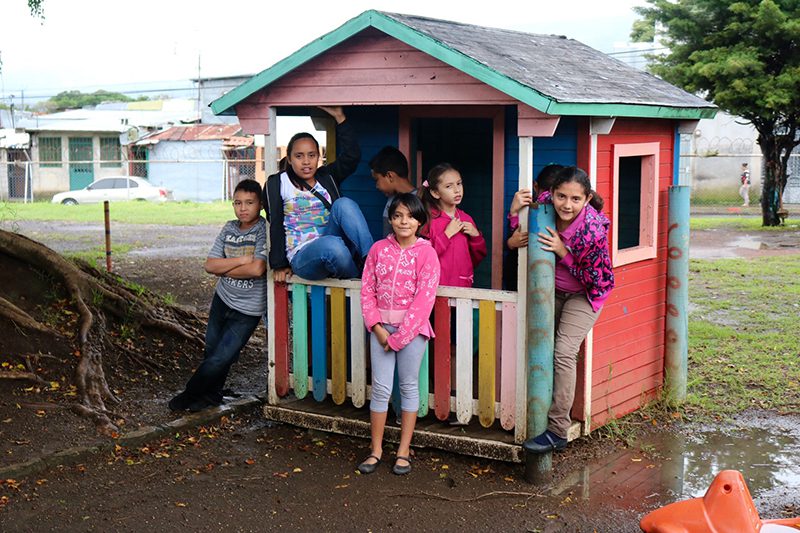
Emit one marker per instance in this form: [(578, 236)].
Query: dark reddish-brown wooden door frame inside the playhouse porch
[(497, 115)]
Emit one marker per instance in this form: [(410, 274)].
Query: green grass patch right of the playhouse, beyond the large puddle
[(744, 348)]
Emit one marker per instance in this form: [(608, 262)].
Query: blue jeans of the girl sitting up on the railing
[(346, 239)]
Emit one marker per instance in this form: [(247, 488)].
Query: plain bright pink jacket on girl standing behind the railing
[(458, 255)]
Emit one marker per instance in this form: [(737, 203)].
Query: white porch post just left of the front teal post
[(525, 182)]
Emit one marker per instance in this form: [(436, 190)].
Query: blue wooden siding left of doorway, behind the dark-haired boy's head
[(376, 127)]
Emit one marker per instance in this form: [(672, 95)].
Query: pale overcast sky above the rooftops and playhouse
[(115, 45)]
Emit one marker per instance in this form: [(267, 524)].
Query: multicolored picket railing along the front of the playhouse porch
[(319, 346)]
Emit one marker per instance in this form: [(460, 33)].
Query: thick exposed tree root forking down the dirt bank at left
[(86, 285)]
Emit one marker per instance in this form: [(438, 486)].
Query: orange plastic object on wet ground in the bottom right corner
[(727, 507)]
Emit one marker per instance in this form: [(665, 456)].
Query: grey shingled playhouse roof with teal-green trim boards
[(551, 73)]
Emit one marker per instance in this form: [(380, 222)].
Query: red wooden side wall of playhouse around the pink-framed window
[(628, 355)]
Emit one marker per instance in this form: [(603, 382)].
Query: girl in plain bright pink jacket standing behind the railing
[(452, 232)]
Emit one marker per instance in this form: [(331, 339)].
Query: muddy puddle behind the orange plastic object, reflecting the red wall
[(672, 467)]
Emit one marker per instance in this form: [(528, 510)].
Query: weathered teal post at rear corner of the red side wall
[(677, 336)]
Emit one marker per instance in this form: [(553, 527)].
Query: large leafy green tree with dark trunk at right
[(745, 57)]
